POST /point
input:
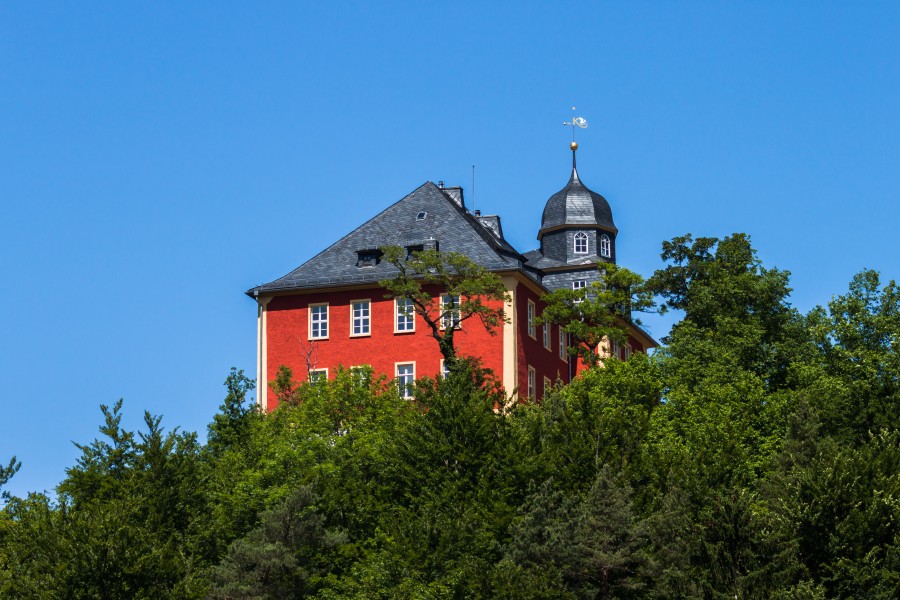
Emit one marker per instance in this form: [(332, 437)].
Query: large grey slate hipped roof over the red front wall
[(445, 221)]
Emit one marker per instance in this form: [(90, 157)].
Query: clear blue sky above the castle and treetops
[(158, 159)]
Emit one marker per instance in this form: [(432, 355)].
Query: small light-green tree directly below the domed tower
[(601, 311)]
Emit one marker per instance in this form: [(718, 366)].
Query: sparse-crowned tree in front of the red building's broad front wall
[(446, 289)]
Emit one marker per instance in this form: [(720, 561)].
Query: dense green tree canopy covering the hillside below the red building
[(755, 455)]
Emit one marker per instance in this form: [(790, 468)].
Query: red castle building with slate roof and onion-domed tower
[(331, 311)]
